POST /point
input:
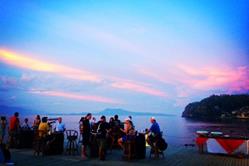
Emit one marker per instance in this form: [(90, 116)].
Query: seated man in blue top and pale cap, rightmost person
[(154, 132)]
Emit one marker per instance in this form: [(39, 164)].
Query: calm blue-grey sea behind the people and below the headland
[(176, 130)]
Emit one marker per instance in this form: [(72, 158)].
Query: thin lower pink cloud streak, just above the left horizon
[(75, 96)]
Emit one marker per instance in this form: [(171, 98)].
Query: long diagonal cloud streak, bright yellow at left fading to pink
[(26, 62)]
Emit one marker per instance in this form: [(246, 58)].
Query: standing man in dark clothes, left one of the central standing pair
[(86, 134)]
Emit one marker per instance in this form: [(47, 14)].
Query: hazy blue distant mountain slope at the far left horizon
[(8, 110)]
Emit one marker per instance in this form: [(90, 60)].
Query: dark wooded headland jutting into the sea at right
[(219, 107)]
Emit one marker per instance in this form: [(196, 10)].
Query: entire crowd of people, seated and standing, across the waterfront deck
[(114, 131)]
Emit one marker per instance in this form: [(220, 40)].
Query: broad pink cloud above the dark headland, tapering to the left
[(188, 79)]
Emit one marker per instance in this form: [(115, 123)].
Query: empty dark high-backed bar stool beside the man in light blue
[(72, 145)]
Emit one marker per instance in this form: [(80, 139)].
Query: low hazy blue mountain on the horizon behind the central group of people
[(122, 112)]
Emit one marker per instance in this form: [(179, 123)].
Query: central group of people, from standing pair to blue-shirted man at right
[(114, 130)]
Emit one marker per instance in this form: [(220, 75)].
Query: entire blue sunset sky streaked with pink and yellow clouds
[(143, 55)]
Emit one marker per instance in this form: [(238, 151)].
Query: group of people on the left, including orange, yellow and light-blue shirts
[(10, 133)]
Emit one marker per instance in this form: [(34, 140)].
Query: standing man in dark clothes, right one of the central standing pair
[(102, 131)]
